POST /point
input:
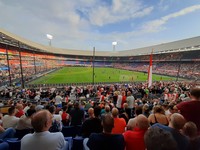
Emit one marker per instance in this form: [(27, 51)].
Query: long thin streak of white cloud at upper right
[(157, 25)]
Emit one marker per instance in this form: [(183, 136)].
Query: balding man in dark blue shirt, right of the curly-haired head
[(176, 123)]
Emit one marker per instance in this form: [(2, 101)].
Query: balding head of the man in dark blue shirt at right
[(177, 121)]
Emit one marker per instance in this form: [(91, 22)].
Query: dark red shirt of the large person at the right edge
[(191, 111)]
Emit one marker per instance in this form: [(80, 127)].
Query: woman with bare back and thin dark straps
[(158, 116)]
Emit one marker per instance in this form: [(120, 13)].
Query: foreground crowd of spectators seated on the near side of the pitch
[(132, 116)]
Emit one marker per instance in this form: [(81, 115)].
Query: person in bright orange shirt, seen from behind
[(119, 123)]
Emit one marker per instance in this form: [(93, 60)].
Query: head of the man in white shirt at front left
[(41, 121)]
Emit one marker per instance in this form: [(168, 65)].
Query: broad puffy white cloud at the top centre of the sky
[(120, 10)]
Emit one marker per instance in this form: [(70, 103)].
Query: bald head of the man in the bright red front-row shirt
[(142, 122)]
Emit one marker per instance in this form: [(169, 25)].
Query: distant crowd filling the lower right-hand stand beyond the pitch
[(187, 70)]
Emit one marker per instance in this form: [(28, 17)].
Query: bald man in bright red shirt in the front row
[(134, 139)]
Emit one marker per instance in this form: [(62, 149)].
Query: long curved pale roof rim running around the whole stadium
[(181, 45)]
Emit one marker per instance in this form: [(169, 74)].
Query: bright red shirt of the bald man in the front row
[(134, 140)]
